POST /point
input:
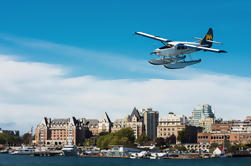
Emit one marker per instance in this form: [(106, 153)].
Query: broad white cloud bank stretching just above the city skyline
[(30, 91)]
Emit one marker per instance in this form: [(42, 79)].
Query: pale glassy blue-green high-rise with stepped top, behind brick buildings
[(201, 112)]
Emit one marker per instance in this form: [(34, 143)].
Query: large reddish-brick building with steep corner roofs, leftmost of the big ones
[(60, 131)]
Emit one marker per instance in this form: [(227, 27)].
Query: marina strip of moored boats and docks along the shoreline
[(121, 152)]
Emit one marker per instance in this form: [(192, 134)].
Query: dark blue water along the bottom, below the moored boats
[(19, 160)]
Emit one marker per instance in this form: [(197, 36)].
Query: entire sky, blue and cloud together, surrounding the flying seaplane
[(81, 58)]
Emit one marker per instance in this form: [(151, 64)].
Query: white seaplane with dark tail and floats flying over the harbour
[(174, 53)]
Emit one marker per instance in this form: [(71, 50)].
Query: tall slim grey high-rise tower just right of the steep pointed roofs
[(151, 119)]
